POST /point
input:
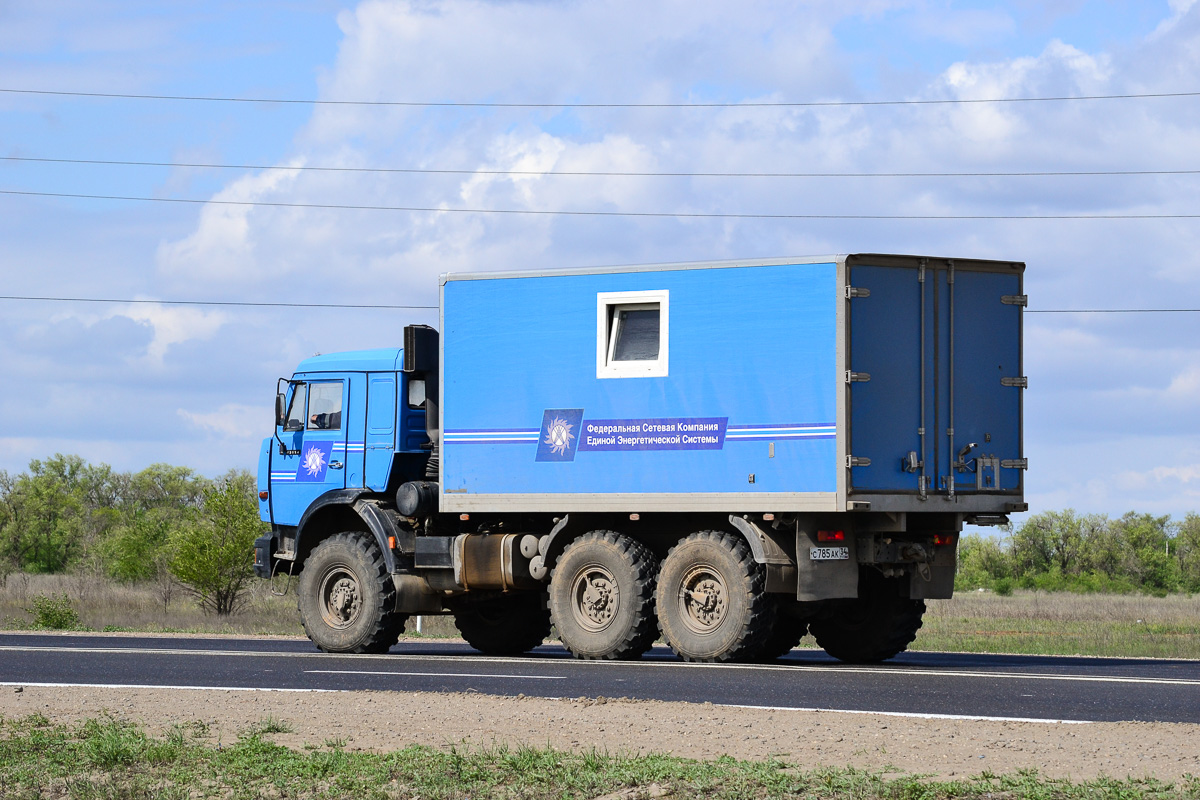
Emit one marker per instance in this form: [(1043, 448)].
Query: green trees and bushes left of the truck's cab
[(164, 525)]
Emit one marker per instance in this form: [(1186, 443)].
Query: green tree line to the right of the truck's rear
[(1059, 551)]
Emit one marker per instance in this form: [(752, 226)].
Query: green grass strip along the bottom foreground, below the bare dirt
[(112, 760)]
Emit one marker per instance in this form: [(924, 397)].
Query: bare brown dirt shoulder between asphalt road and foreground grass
[(383, 721)]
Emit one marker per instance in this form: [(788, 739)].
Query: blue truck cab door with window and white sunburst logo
[(314, 435)]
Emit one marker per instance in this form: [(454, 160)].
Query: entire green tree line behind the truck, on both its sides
[(173, 527)]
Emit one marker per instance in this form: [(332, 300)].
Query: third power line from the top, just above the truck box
[(679, 215)]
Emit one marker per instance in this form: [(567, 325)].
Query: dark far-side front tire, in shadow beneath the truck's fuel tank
[(505, 625)]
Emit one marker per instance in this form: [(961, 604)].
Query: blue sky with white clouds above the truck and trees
[(1112, 420)]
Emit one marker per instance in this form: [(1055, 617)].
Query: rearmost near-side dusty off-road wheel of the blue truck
[(712, 599)]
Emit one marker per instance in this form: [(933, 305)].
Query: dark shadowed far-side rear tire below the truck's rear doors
[(875, 627)]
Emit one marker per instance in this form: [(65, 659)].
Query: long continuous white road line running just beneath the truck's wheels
[(889, 671)]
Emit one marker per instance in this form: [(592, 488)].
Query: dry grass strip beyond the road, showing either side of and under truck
[(1024, 623)]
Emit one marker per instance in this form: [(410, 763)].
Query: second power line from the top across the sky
[(416, 171)]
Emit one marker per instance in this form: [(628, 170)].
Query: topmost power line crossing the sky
[(819, 104)]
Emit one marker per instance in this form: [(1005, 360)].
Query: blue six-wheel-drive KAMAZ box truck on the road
[(725, 455)]
